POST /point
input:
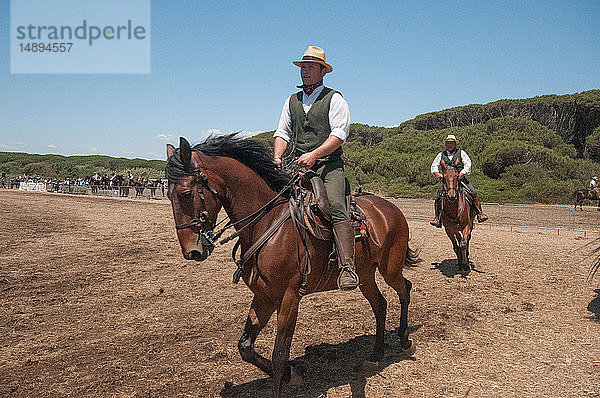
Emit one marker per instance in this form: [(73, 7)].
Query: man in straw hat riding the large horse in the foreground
[(317, 120)]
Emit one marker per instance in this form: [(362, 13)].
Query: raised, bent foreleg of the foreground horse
[(258, 316)]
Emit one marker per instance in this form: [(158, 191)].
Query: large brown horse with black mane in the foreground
[(240, 177)]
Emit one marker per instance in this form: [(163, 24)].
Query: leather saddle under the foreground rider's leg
[(316, 212)]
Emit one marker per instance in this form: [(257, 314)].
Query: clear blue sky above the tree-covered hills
[(226, 66)]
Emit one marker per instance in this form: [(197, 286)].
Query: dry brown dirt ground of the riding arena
[(97, 301)]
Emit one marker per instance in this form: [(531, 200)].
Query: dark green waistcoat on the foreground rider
[(310, 130)]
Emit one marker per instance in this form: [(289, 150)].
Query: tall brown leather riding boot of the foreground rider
[(344, 240)]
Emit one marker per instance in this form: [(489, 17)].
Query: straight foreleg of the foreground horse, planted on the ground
[(286, 323)]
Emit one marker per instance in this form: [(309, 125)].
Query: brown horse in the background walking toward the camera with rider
[(457, 216)]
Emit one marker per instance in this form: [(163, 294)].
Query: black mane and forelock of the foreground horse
[(249, 152)]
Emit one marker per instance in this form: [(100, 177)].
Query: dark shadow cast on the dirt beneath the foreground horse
[(326, 366)]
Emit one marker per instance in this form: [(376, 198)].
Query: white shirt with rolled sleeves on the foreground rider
[(339, 115)]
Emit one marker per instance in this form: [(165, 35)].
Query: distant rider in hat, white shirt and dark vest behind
[(461, 161)]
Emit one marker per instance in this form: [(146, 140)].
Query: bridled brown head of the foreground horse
[(194, 199)]
